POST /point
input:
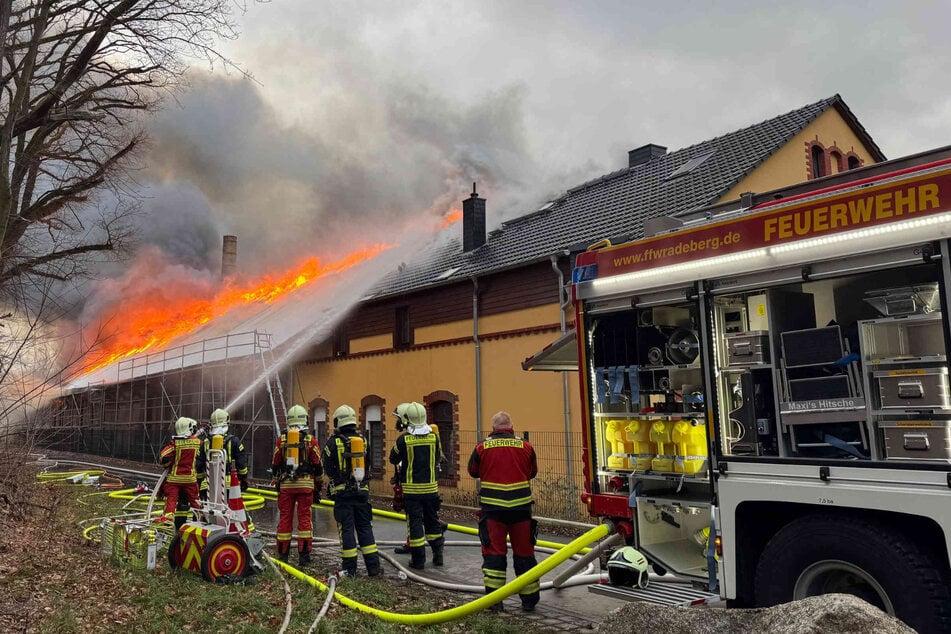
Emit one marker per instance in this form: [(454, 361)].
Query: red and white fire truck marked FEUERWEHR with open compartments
[(765, 394)]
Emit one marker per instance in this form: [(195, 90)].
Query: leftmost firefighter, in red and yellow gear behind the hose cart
[(184, 460)]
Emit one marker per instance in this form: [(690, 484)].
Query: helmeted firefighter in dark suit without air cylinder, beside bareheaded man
[(419, 452)]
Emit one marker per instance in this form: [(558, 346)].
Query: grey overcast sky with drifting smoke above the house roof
[(366, 119)]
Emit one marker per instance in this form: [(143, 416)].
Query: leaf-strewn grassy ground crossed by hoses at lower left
[(54, 581)]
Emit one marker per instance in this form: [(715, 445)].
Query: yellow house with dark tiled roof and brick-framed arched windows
[(453, 329)]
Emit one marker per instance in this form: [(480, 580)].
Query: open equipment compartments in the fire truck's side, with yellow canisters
[(844, 360)]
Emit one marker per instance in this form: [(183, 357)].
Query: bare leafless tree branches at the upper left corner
[(75, 78)]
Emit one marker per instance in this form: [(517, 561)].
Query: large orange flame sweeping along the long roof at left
[(138, 324)]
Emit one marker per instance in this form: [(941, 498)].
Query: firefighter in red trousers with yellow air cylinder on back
[(296, 469)]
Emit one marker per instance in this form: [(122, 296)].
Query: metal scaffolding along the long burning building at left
[(132, 417)]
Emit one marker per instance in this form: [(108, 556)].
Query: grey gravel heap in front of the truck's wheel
[(827, 614)]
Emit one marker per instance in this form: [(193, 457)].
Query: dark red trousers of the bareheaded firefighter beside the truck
[(493, 531)]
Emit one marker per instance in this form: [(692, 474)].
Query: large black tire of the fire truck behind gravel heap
[(823, 554)]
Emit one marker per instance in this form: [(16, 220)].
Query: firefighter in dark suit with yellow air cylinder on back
[(344, 463)]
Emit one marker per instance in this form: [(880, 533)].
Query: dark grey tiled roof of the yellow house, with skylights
[(616, 205)]
